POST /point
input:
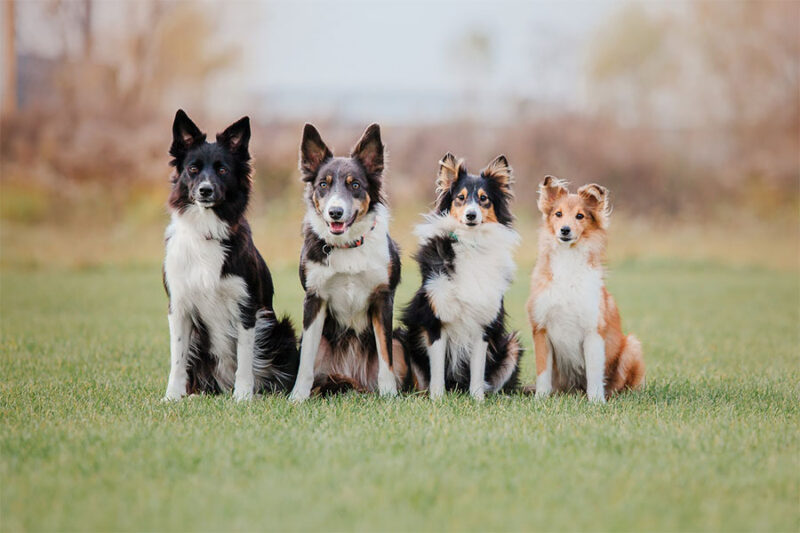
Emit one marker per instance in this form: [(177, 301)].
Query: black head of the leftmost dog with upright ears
[(209, 174)]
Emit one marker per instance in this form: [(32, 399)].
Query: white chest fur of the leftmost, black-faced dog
[(193, 267)]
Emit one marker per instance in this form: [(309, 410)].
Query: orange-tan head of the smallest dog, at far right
[(570, 217)]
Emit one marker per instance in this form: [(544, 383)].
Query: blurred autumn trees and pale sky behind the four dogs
[(688, 111)]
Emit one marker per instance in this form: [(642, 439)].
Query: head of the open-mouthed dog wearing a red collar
[(342, 190)]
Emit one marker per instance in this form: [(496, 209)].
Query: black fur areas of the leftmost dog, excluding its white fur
[(226, 166)]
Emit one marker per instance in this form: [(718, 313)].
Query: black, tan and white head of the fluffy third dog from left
[(475, 200)]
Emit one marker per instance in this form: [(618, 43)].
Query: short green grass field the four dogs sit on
[(711, 442)]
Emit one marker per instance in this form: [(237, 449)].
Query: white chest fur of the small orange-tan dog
[(569, 307)]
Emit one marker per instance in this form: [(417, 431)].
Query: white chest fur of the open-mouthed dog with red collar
[(351, 275)]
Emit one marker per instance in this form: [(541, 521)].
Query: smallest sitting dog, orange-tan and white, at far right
[(577, 332)]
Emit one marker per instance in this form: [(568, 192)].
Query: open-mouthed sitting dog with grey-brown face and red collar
[(349, 269)]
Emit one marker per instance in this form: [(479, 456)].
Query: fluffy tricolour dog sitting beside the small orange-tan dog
[(453, 330)]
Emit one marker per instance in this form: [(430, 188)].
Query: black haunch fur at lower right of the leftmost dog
[(276, 357)]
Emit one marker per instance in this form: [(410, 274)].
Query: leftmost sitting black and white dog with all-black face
[(223, 330)]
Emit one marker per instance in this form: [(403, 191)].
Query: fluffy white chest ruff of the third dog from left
[(469, 299)]
